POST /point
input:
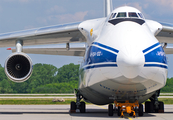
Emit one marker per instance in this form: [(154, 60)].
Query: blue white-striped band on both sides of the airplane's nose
[(96, 55)]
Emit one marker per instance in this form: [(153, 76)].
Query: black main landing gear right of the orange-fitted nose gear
[(154, 106)]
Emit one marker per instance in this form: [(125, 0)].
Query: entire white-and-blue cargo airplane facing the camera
[(124, 58)]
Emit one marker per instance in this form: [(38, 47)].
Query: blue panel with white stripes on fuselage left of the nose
[(99, 53)]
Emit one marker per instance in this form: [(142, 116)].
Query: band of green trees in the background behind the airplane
[(50, 79)]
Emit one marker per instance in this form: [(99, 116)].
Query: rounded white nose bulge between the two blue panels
[(131, 63)]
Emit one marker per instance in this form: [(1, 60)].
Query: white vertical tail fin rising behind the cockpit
[(107, 7)]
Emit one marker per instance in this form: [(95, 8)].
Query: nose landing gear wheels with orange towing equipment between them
[(130, 108)]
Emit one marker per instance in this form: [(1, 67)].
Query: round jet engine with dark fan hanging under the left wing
[(18, 67)]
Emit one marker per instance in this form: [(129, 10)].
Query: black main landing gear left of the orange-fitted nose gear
[(77, 105)]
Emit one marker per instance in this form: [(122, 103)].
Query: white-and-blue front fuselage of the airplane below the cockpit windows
[(124, 62)]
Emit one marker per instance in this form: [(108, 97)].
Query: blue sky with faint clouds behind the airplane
[(18, 15)]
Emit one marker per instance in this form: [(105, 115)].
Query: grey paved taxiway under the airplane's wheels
[(61, 112)]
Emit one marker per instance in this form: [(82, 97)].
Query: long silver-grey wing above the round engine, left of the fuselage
[(66, 33)]
